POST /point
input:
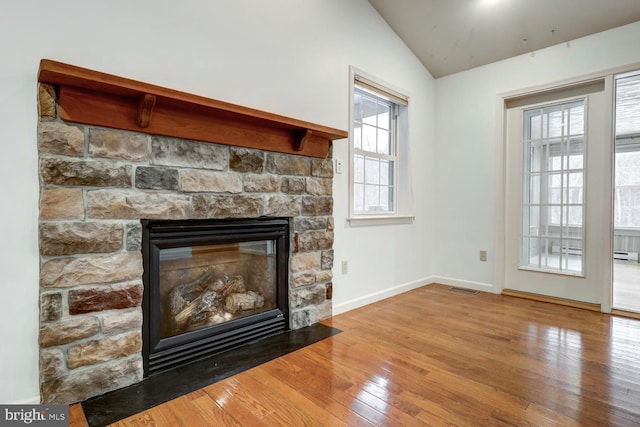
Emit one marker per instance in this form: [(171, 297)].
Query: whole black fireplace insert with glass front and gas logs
[(210, 286)]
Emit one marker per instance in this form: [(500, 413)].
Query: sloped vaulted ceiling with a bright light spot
[(449, 36)]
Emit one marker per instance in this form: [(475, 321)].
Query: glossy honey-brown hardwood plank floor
[(434, 357)]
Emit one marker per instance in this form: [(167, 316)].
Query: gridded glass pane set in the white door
[(553, 187)]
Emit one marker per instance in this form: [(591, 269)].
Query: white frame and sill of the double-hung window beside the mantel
[(402, 200)]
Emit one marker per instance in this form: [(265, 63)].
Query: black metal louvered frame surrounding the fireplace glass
[(160, 354)]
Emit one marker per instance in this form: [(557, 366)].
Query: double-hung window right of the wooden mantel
[(379, 178)]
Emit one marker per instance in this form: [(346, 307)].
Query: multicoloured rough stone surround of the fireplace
[(96, 185)]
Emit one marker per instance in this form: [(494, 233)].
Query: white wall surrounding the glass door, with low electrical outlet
[(468, 139)]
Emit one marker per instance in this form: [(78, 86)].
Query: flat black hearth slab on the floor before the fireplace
[(162, 387)]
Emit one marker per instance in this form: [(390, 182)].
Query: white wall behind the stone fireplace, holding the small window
[(284, 56)]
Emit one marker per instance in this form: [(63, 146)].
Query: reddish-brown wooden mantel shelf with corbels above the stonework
[(95, 98)]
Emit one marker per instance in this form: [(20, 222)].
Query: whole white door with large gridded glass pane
[(558, 172)]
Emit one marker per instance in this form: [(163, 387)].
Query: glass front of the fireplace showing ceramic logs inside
[(207, 285)]
